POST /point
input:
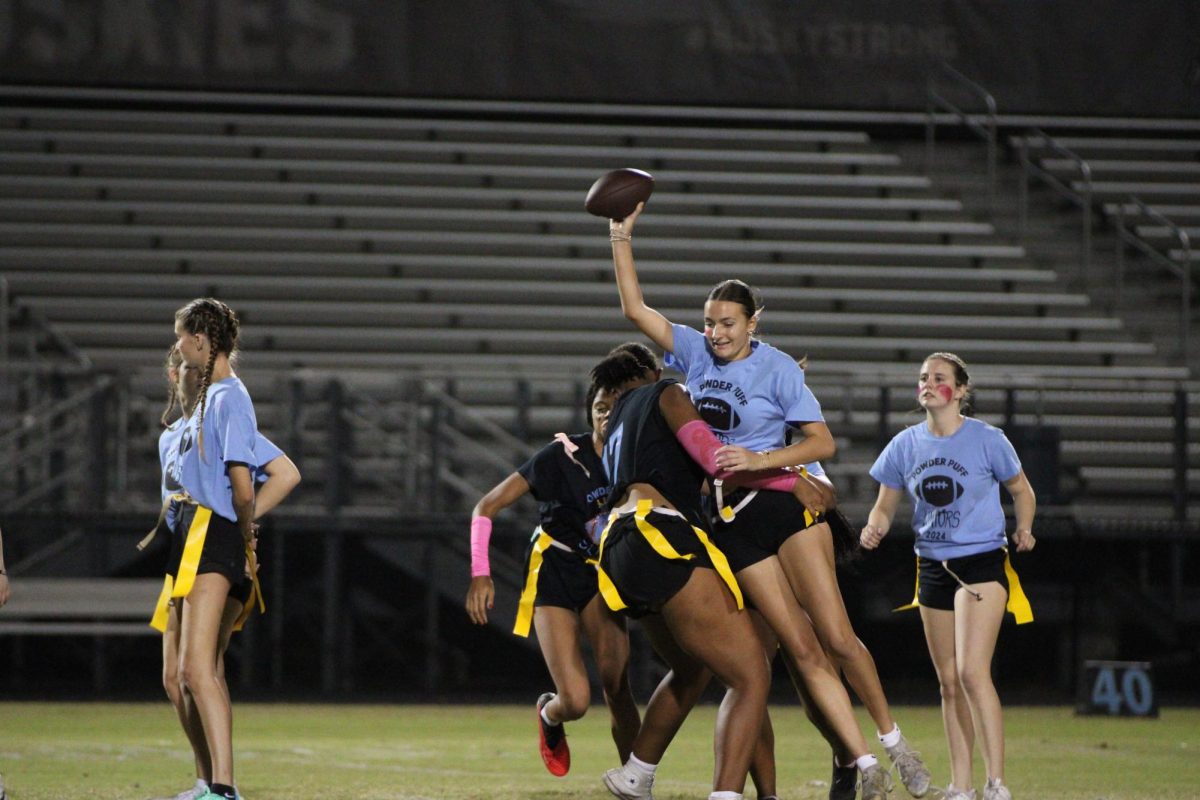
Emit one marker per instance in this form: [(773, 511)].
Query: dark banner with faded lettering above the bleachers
[(1053, 57)]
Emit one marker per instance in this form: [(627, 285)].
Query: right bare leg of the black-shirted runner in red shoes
[(610, 643)]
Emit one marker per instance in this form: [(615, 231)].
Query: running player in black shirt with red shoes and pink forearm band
[(561, 596)]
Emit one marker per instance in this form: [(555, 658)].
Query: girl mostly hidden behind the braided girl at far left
[(278, 477)]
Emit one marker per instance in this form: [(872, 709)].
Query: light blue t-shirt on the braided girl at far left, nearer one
[(231, 431)]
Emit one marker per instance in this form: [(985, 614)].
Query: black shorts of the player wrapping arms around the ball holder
[(645, 580)]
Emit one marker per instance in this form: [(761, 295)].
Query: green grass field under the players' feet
[(467, 753)]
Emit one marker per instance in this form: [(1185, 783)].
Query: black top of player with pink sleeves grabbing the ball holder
[(640, 448)]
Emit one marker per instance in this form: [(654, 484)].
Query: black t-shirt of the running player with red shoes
[(572, 490)]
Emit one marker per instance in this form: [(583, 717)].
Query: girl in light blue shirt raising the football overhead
[(752, 395)]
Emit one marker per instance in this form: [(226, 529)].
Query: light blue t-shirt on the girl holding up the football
[(748, 402)]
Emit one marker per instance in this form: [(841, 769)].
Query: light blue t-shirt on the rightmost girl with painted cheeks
[(952, 482)]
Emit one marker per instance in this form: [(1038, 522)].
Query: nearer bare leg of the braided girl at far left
[(199, 657)]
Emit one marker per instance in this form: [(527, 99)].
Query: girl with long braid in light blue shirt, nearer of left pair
[(217, 455)]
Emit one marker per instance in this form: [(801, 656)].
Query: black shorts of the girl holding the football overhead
[(761, 527)]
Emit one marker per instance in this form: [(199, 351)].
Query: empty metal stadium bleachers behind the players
[(459, 249)]
